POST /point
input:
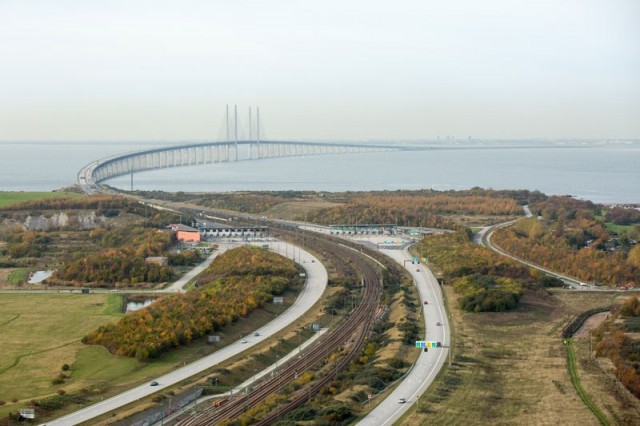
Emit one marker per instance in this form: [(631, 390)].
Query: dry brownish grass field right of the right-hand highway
[(511, 368)]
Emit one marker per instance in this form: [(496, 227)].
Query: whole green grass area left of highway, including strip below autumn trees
[(40, 333)]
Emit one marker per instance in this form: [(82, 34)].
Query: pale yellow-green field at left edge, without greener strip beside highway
[(40, 333)]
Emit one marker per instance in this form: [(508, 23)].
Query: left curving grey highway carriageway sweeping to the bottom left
[(317, 279)]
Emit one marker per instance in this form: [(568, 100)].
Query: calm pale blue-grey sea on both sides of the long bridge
[(602, 173)]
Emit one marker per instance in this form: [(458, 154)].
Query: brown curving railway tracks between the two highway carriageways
[(350, 336)]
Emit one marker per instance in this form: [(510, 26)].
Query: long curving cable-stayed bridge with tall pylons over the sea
[(232, 149)]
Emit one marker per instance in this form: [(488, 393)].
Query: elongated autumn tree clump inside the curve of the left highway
[(235, 284)]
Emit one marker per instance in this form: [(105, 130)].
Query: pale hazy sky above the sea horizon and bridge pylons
[(347, 69)]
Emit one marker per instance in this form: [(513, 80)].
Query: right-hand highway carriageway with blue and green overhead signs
[(426, 368)]
